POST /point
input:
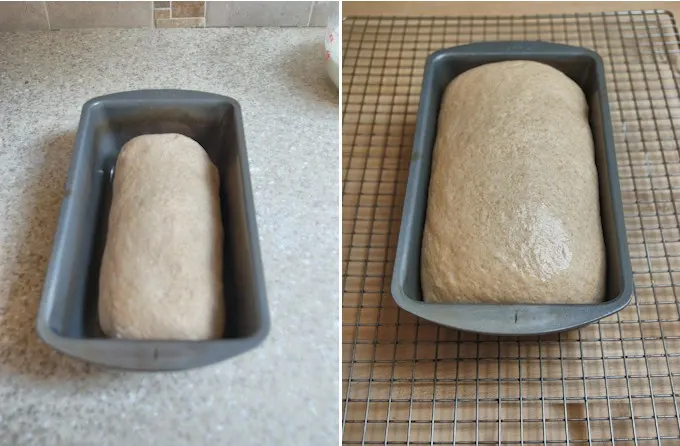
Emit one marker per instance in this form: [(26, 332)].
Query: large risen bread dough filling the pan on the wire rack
[(513, 212)]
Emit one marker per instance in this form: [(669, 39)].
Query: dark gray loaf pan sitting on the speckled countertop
[(67, 319)]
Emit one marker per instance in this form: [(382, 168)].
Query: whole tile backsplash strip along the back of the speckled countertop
[(37, 15)]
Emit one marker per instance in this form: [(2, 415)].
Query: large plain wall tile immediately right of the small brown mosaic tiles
[(257, 13)]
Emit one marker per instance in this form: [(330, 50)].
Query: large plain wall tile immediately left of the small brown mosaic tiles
[(99, 14)]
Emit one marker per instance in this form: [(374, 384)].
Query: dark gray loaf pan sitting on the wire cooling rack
[(585, 68)]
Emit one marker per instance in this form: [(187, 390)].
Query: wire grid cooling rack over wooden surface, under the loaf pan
[(407, 381)]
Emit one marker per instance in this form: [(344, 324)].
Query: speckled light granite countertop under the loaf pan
[(286, 391)]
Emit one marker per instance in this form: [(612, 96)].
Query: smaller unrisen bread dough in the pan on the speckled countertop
[(161, 271)]
